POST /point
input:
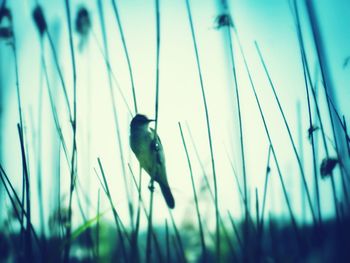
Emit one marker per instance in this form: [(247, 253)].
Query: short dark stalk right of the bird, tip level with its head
[(201, 234)]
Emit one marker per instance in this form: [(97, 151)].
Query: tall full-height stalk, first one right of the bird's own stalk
[(217, 242)]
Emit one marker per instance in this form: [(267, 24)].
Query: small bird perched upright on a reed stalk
[(149, 152)]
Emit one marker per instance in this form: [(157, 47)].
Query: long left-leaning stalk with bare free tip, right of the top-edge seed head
[(302, 174)]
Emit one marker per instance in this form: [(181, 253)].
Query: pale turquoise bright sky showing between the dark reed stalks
[(269, 22)]
